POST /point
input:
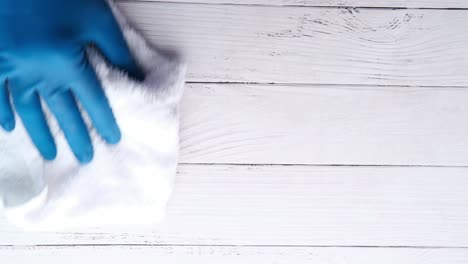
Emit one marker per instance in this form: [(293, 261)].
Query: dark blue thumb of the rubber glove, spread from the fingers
[(110, 40)]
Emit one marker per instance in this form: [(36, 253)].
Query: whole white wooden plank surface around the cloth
[(311, 133)]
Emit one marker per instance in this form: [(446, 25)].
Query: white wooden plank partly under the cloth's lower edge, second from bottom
[(297, 205)]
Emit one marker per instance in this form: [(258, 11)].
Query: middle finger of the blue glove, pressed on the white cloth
[(65, 110)]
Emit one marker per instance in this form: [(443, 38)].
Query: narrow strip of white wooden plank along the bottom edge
[(229, 255)]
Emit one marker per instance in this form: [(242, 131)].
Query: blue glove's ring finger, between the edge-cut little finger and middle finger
[(30, 111)]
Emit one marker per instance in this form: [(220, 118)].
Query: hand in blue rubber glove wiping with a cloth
[(43, 55)]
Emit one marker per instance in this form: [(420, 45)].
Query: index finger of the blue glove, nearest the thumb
[(90, 94)]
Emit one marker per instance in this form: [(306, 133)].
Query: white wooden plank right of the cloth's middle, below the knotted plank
[(260, 124)]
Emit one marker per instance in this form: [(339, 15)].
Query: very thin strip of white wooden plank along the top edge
[(335, 3)]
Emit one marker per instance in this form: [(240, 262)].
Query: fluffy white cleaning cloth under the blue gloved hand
[(126, 185)]
